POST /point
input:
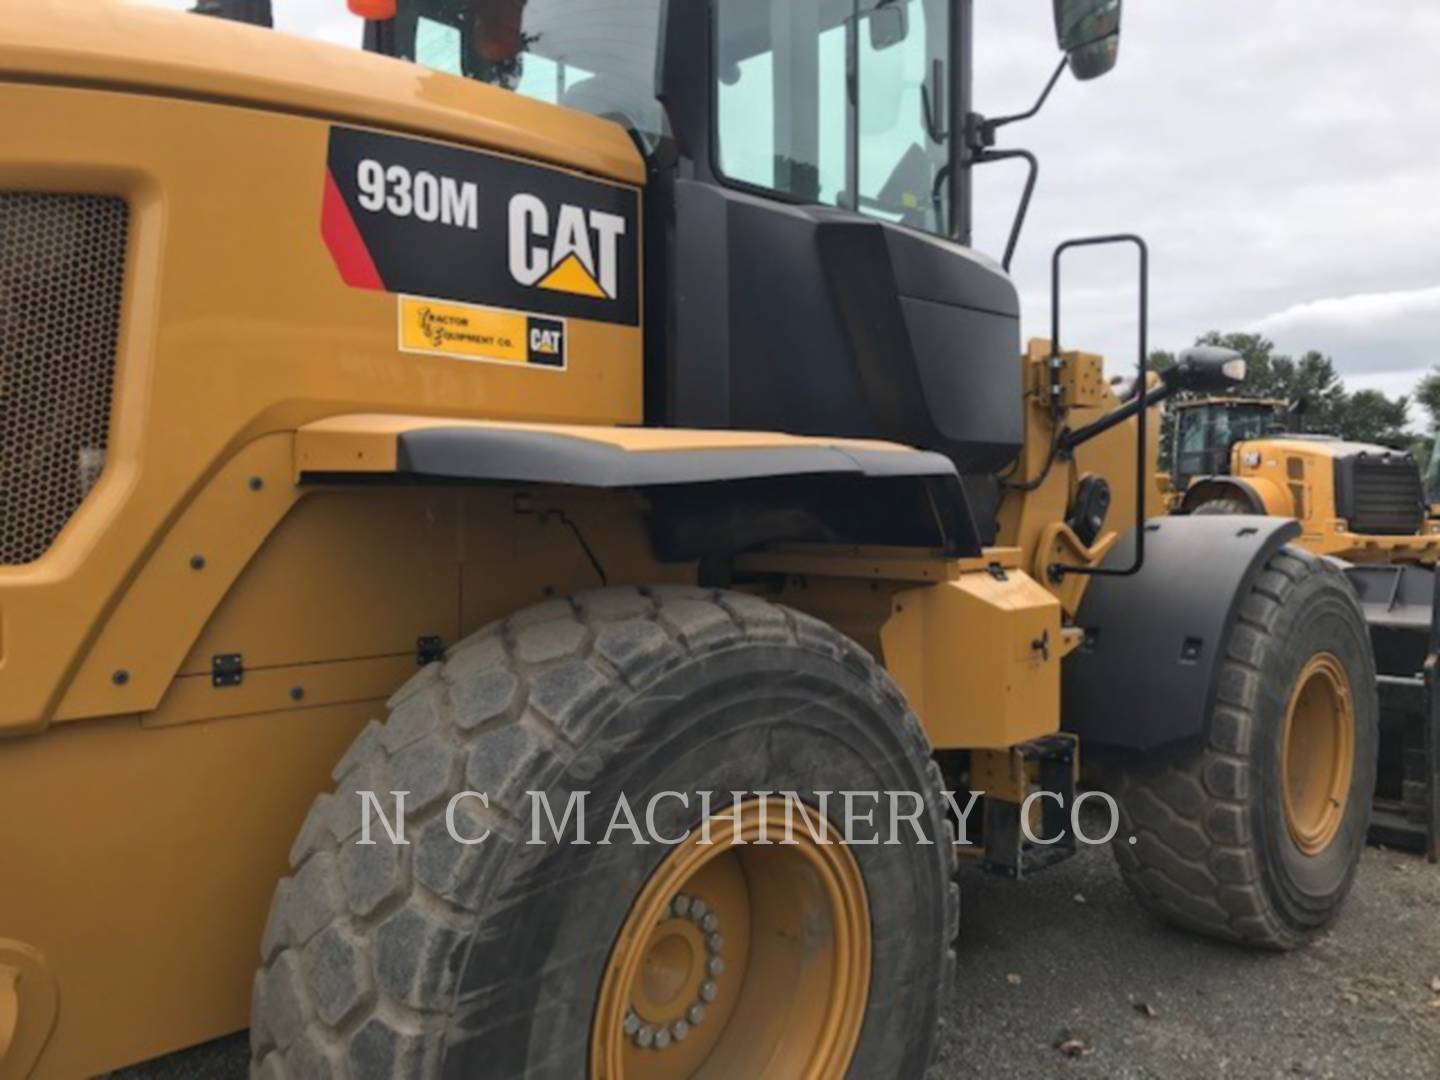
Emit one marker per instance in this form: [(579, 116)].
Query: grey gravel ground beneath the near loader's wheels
[(1069, 958)]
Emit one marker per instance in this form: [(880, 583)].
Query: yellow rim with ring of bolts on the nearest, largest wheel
[(744, 957)]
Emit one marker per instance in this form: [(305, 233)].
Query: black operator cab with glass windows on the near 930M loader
[(807, 215)]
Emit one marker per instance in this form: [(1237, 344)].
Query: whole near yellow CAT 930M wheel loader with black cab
[(407, 464)]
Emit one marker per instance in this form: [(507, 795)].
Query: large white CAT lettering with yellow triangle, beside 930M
[(575, 251)]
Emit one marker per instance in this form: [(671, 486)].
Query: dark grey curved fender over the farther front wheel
[(1146, 676)]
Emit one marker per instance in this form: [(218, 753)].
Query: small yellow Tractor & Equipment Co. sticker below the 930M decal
[(437, 328)]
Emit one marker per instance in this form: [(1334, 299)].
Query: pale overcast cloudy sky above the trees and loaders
[(1282, 158)]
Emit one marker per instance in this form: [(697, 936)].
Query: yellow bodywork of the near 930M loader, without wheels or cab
[(244, 364)]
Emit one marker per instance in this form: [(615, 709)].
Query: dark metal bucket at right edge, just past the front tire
[(1400, 606)]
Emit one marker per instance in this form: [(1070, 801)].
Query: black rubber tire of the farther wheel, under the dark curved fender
[(1213, 852)]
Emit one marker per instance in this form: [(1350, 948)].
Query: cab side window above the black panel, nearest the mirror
[(840, 103)]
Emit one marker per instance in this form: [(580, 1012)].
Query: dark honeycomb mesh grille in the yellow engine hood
[(63, 269)]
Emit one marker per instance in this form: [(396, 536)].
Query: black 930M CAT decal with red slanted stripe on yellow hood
[(430, 220)]
